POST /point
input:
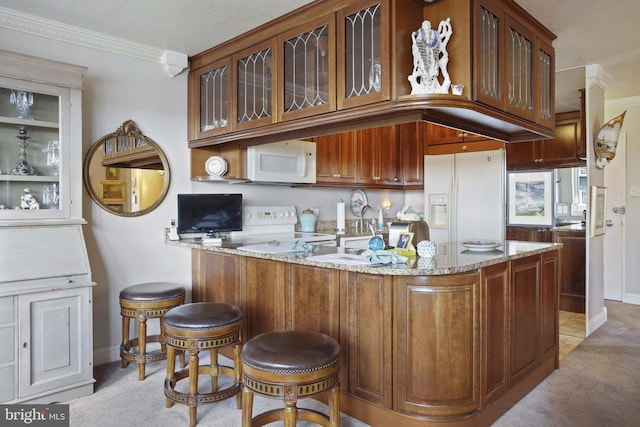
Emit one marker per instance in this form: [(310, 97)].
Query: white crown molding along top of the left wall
[(173, 62)]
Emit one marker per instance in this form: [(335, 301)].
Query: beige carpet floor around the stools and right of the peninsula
[(598, 384)]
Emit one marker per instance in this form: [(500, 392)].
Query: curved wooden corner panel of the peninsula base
[(437, 333)]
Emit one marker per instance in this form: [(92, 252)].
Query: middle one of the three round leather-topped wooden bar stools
[(195, 327)]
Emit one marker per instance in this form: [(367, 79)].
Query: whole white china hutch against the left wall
[(46, 337)]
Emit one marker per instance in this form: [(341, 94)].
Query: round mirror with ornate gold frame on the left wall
[(126, 173)]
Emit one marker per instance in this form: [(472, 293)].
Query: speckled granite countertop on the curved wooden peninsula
[(452, 258)]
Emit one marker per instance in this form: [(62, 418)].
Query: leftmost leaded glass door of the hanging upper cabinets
[(211, 86)]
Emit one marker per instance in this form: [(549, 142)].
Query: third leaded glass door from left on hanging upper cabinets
[(307, 69)]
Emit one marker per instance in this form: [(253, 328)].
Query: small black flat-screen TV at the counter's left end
[(209, 213)]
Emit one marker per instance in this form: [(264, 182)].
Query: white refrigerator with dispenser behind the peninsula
[(465, 196)]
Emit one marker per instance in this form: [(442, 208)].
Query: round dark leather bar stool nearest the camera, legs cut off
[(290, 365)]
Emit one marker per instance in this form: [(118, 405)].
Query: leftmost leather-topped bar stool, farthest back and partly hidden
[(141, 302)]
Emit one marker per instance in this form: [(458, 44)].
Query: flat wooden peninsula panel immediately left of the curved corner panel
[(366, 335)]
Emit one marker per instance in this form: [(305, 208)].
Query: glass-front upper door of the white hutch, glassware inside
[(34, 150)]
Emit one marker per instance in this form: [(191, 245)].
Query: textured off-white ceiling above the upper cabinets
[(588, 31)]
